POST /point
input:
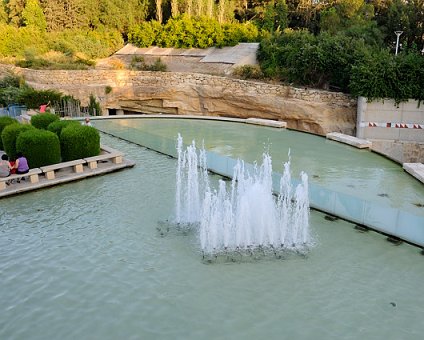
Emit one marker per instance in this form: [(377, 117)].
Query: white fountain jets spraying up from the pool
[(246, 217)]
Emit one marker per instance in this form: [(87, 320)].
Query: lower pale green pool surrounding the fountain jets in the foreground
[(85, 260)]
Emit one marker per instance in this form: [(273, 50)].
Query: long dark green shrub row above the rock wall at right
[(343, 63)]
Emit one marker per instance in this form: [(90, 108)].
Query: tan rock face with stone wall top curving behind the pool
[(307, 110)]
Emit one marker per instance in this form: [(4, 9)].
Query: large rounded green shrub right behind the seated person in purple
[(40, 147)]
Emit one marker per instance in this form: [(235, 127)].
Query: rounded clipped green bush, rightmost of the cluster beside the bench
[(79, 142)]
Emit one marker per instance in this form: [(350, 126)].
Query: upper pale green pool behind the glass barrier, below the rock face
[(332, 165)]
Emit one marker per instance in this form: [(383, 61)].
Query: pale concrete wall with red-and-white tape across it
[(396, 131)]
